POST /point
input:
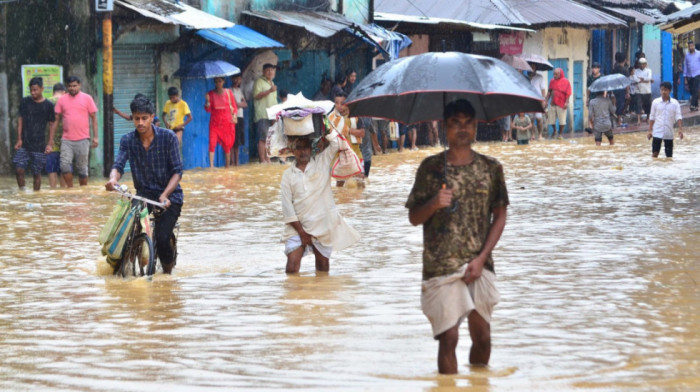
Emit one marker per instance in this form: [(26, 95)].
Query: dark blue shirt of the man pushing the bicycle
[(151, 169)]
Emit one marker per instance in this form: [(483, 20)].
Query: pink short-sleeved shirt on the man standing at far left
[(76, 115)]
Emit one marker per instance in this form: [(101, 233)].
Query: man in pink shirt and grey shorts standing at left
[(77, 110)]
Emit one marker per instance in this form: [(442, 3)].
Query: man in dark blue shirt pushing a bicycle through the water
[(156, 169)]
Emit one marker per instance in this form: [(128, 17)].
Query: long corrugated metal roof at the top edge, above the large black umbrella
[(503, 12)]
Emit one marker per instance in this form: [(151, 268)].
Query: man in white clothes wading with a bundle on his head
[(312, 221)]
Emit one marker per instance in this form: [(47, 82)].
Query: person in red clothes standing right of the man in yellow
[(221, 103)]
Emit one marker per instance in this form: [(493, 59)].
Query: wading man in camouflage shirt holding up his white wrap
[(462, 208)]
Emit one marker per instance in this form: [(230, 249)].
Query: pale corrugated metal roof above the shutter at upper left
[(170, 13)]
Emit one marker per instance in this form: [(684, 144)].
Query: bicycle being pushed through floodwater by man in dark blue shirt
[(140, 245)]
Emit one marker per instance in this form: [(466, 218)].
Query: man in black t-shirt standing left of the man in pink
[(35, 113)]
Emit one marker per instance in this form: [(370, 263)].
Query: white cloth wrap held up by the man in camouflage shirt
[(447, 300)]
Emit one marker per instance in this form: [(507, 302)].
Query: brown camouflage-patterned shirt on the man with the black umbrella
[(451, 239)]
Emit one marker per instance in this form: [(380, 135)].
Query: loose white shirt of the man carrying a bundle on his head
[(307, 198)]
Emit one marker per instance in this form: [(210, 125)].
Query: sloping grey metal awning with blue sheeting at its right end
[(328, 24)]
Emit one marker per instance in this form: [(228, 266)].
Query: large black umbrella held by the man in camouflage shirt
[(417, 88)]
